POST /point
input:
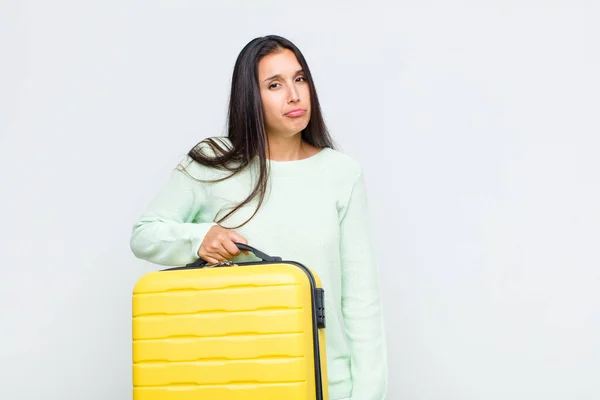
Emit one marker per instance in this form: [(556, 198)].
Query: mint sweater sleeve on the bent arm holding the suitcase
[(167, 233)]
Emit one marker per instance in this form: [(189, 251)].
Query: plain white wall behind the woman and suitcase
[(477, 124)]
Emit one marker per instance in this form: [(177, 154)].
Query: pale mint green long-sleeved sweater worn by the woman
[(315, 212)]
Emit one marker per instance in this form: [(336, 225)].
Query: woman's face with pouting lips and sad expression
[(283, 88)]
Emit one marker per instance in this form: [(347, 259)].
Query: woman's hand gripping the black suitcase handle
[(218, 245)]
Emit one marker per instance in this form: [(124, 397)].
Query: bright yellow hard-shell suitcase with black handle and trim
[(246, 331)]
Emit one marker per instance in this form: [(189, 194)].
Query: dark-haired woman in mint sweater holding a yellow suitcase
[(283, 188)]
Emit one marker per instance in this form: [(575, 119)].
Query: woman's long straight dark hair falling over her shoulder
[(246, 129)]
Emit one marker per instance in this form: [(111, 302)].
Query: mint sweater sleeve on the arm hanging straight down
[(361, 299)]
